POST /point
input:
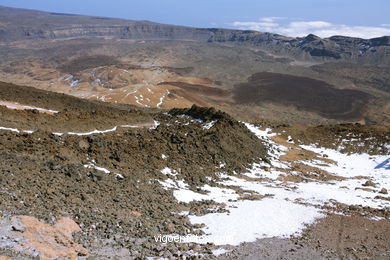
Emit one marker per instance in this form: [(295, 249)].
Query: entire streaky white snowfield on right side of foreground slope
[(288, 207)]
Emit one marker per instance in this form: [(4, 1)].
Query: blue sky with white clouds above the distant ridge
[(356, 18)]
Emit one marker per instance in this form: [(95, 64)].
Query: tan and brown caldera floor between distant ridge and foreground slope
[(120, 71)]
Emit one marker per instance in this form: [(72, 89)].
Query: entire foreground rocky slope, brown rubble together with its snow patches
[(103, 180)]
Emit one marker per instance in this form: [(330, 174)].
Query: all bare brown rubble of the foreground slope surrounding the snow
[(43, 176)]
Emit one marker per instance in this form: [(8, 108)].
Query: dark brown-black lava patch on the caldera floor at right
[(304, 93)]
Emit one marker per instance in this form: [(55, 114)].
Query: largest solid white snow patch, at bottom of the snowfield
[(249, 220)]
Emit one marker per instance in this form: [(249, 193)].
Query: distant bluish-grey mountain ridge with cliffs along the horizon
[(21, 24)]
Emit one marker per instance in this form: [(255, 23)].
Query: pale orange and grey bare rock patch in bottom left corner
[(29, 236)]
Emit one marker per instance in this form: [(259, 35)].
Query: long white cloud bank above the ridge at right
[(320, 28)]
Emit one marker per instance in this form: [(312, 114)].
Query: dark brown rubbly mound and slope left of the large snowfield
[(43, 175)]
